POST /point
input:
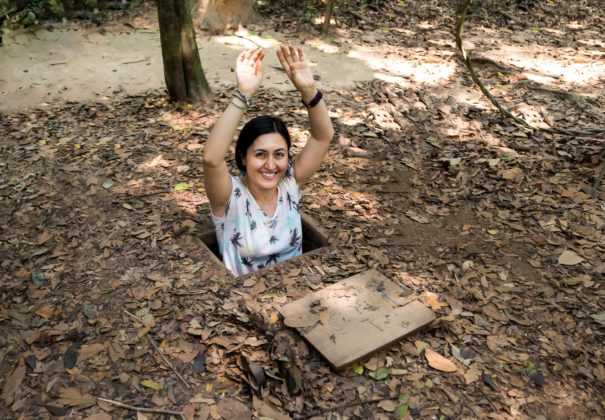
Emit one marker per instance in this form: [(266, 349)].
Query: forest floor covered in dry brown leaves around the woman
[(108, 293)]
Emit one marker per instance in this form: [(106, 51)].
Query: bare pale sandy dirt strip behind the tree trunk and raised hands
[(72, 62)]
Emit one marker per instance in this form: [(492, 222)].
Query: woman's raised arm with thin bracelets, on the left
[(249, 73)]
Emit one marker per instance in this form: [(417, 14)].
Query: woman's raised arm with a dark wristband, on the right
[(297, 68)]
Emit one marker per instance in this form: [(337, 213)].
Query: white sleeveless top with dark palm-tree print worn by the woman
[(248, 239)]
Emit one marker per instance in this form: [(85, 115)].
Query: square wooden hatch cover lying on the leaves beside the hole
[(355, 317)]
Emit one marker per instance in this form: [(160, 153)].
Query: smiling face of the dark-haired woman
[(266, 161)]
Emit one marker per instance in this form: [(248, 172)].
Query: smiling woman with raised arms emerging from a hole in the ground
[(256, 214)]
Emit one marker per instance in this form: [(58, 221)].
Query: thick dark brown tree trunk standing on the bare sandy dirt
[(183, 71)]
